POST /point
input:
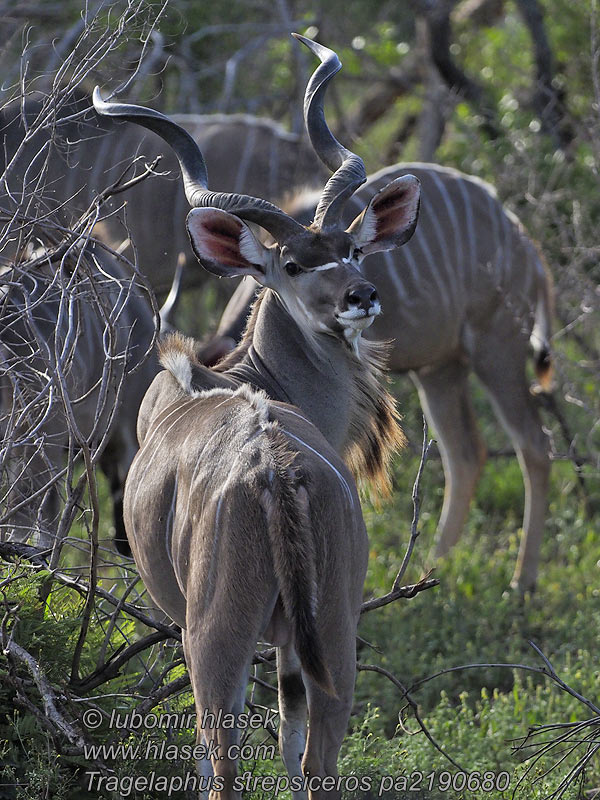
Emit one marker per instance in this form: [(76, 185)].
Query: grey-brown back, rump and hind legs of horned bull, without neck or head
[(245, 526)]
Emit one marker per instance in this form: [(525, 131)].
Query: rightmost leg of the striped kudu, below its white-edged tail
[(505, 380)]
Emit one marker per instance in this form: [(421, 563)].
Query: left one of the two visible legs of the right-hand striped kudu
[(446, 401)]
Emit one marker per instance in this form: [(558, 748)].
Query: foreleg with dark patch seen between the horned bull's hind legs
[(292, 713)]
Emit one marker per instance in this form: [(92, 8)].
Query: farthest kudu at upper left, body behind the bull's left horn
[(61, 167)]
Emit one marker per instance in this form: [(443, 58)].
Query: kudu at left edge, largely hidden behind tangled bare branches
[(70, 335)]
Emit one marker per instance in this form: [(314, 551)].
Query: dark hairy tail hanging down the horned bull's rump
[(294, 558)]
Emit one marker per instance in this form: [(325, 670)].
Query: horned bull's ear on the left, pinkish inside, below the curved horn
[(225, 245)]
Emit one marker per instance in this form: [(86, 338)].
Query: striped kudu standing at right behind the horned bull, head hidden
[(468, 293)]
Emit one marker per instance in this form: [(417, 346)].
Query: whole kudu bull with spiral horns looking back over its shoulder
[(243, 518)]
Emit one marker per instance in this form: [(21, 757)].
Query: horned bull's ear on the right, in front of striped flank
[(390, 218)]
